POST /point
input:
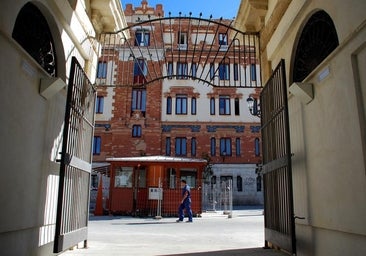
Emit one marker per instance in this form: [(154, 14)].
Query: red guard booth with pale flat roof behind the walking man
[(150, 185)]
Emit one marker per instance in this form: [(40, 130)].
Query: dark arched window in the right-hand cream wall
[(318, 39)]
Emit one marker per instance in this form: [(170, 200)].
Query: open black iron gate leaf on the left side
[(76, 158)]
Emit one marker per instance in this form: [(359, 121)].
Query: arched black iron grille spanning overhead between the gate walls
[(242, 50)]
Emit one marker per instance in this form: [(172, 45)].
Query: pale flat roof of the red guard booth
[(157, 159)]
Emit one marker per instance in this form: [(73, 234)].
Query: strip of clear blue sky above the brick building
[(218, 8)]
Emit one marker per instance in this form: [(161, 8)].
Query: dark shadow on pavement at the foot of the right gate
[(236, 252)]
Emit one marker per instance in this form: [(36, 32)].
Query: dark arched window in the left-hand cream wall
[(32, 32)]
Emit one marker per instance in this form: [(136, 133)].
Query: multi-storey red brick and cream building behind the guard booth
[(187, 104)]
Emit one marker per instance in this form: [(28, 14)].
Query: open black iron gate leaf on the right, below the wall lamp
[(277, 177)]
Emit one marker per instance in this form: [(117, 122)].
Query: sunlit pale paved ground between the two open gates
[(213, 234)]
